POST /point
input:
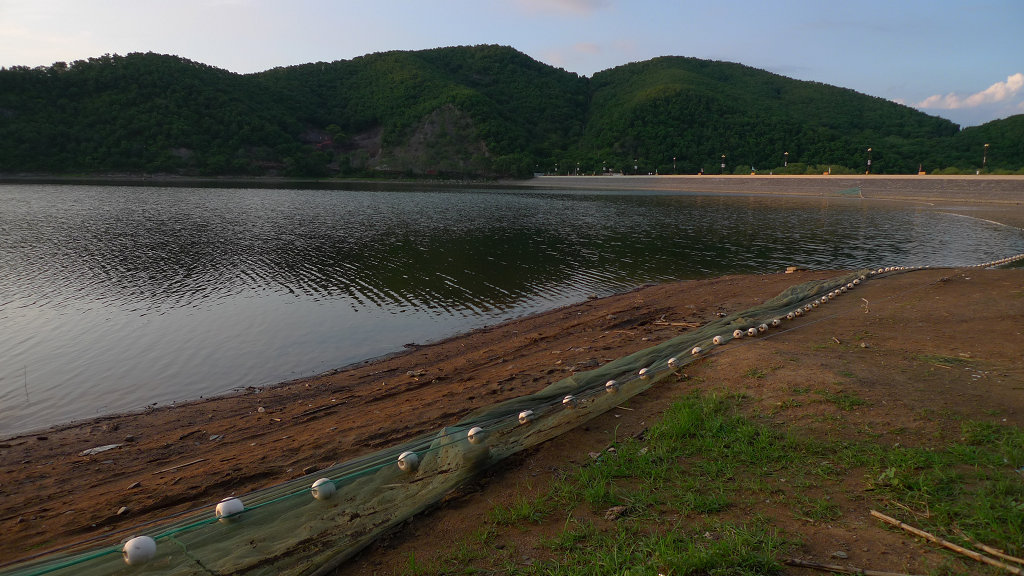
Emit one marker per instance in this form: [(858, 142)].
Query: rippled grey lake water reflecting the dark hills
[(113, 299)]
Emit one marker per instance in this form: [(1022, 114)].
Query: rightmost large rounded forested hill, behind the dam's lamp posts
[(698, 110)]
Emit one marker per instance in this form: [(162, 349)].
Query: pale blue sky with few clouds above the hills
[(963, 61)]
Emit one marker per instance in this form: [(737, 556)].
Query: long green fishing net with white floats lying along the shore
[(300, 529)]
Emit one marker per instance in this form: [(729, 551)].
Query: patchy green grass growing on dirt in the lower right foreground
[(689, 481)]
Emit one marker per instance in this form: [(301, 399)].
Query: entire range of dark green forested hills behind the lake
[(464, 111)]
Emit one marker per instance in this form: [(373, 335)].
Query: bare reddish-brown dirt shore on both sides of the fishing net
[(176, 459)]
